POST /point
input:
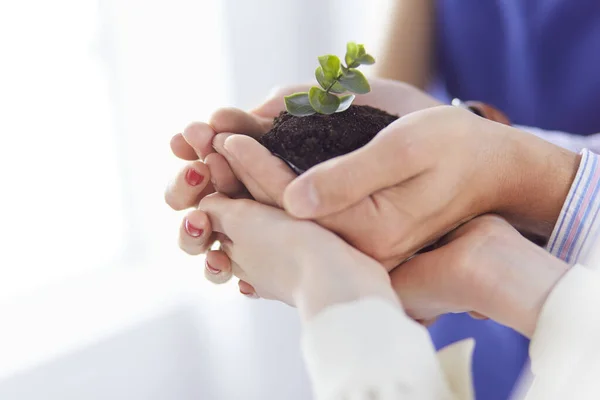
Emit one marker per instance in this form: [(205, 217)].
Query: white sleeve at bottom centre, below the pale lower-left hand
[(370, 349)]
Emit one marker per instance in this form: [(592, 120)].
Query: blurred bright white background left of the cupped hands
[(92, 284)]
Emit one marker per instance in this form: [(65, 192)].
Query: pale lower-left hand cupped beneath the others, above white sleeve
[(293, 261)]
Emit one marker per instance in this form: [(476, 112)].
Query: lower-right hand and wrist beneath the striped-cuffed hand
[(486, 268)]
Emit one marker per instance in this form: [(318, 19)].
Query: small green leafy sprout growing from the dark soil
[(335, 79)]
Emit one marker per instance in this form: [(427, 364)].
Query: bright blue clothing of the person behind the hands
[(539, 62)]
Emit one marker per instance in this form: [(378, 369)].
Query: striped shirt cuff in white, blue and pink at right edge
[(578, 225)]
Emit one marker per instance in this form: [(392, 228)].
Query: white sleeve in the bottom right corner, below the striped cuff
[(565, 349)]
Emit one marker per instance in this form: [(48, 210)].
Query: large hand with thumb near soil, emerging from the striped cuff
[(431, 171)]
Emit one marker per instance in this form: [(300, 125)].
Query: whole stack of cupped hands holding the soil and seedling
[(440, 178)]
